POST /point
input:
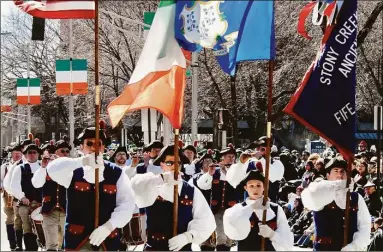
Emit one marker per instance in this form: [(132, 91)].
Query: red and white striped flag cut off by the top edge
[(58, 9)]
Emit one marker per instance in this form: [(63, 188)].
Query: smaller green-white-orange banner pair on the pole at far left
[(33, 92)]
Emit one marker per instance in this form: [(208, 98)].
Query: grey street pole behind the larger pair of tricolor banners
[(71, 98)]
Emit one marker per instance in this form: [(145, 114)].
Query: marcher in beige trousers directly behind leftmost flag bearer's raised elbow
[(53, 196)]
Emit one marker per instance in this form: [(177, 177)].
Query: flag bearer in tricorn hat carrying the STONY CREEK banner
[(327, 198)]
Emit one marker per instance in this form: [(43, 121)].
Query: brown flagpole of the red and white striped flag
[(97, 116)]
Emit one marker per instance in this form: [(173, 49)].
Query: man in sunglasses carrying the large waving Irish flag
[(154, 192)]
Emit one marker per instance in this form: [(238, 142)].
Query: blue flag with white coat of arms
[(235, 30)]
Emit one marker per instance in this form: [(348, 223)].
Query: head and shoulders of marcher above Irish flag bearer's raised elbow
[(152, 152)]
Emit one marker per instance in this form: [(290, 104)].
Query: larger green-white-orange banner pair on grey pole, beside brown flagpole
[(71, 71)]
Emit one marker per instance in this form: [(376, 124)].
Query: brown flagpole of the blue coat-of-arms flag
[(268, 145)]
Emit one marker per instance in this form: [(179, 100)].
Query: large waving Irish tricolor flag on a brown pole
[(158, 81)]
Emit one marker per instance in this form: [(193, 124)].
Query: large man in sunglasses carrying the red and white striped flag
[(116, 201)]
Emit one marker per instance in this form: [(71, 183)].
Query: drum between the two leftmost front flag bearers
[(133, 230)]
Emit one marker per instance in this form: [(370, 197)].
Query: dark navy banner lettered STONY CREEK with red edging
[(325, 99)]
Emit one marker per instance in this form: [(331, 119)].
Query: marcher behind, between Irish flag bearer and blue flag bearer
[(223, 195)]
